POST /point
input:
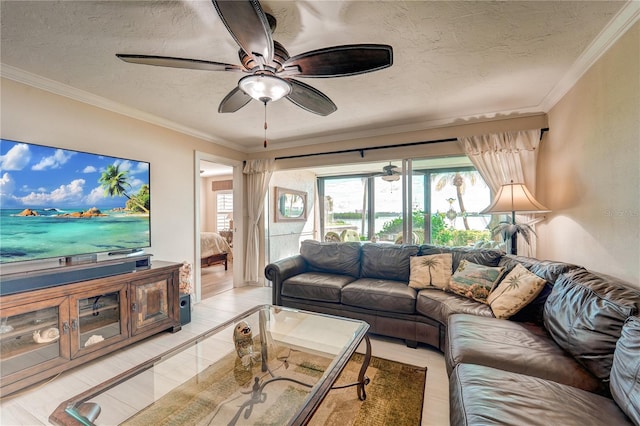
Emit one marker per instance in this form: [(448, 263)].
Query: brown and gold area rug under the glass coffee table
[(394, 395)]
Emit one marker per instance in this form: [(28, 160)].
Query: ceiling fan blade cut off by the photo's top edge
[(248, 25)]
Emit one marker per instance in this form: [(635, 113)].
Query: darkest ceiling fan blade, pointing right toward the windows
[(340, 61)]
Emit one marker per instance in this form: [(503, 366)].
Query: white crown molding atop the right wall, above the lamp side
[(620, 24)]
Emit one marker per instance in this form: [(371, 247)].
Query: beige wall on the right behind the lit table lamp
[(589, 167)]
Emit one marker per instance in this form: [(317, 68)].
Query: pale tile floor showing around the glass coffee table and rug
[(33, 405)]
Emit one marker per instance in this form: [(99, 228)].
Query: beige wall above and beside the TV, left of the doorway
[(36, 116)]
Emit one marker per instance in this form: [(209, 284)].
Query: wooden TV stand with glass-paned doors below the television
[(92, 318)]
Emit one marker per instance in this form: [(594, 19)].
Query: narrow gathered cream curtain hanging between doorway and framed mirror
[(258, 176)]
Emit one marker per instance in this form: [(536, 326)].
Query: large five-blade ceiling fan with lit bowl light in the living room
[(269, 67)]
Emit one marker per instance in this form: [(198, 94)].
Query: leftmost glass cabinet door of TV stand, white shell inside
[(32, 335)]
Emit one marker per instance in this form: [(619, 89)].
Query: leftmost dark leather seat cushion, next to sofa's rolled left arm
[(316, 286)]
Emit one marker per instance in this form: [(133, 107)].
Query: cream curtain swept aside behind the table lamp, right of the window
[(503, 157)]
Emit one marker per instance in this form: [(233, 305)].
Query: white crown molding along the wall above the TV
[(52, 86)]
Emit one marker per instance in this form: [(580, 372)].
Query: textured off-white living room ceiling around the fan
[(454, 61)]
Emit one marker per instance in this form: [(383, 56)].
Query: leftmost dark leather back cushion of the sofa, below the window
[(339, 258)]
